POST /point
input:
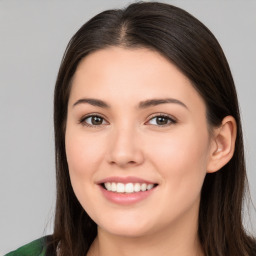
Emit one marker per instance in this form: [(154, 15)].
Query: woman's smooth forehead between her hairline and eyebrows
[(131, 75)]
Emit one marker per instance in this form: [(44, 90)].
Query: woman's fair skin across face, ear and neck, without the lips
[(130, 142)]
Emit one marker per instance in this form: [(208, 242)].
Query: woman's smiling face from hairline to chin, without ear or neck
[(135, 122)]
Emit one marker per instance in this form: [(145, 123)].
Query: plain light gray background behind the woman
[(33, 36)]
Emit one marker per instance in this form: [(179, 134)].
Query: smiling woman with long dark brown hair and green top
[(149, 149)]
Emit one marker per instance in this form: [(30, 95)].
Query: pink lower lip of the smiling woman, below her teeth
[(126, 198)]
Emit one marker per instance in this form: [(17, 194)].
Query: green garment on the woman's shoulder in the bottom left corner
[(35, 248)]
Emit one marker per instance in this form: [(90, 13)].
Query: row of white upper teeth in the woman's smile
[(128, 187)]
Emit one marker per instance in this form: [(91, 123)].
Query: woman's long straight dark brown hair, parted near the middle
[(188, 44)]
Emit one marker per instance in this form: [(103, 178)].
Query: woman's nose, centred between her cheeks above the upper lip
[(125, 148)]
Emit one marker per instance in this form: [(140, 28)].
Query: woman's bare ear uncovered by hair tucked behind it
[(223, 144)]
